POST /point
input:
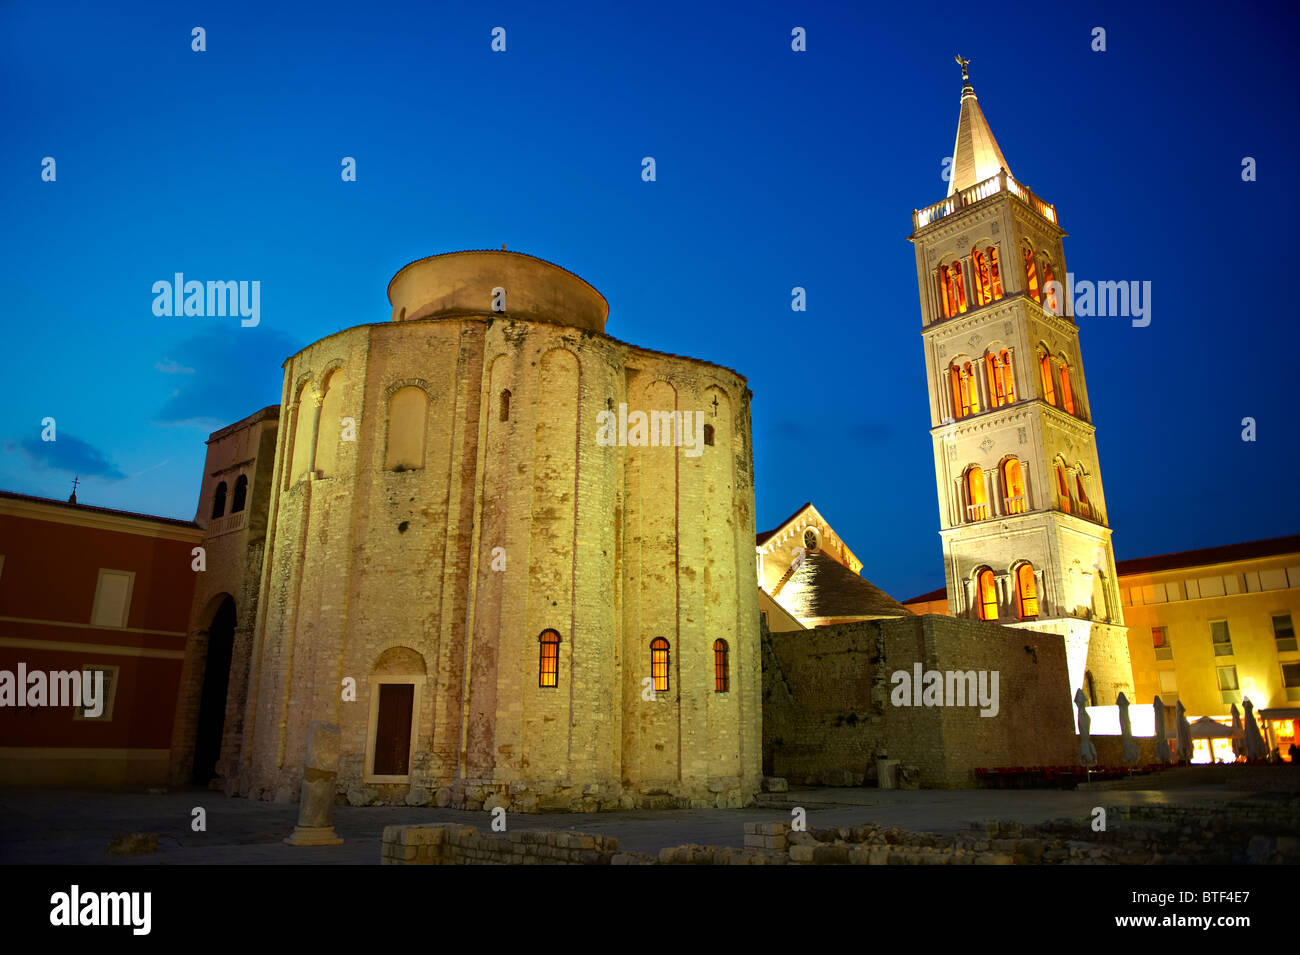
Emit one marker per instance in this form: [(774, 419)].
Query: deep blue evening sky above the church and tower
[(775, 170)]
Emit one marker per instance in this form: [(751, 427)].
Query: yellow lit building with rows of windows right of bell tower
[(1211, 628)]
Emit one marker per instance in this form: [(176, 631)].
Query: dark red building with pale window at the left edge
[(83, 589)]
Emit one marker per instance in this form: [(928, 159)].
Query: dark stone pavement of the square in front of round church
[(76, 827)]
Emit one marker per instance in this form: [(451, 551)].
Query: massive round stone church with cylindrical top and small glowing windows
[(509, 555)]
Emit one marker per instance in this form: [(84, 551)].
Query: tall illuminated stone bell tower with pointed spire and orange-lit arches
[(1022, 510)]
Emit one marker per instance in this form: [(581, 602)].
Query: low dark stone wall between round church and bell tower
[(829, 718)]
